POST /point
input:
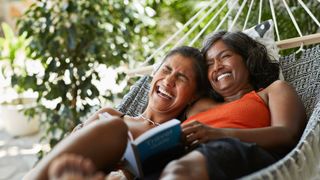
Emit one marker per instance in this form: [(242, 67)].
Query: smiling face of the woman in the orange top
[(227, 72)]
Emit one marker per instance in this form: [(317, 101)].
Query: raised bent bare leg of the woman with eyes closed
[(103, 142)]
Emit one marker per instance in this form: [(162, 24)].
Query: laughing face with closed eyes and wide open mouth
[(173, 86)]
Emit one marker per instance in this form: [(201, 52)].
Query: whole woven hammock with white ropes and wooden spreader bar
[(303, 73)]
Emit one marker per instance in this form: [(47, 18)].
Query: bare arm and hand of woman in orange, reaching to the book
[(288, 120)]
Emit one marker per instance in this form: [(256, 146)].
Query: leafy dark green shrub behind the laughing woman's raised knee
[(72, 39)]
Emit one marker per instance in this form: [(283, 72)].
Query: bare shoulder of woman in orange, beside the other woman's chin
[(201, 105)]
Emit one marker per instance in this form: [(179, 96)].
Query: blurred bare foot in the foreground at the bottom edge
[(73, 167)]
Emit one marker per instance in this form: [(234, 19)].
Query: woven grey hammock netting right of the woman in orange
[(303, 161)]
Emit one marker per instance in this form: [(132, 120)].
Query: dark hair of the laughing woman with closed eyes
[(200, 66)]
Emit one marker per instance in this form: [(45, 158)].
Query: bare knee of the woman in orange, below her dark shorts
[(190, 166)]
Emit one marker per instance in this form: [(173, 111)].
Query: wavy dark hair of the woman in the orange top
[(262, 70)]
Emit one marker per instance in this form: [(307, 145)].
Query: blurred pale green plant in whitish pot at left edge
[(15, 100)]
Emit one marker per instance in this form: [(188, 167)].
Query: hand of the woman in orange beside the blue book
[(196, 133)]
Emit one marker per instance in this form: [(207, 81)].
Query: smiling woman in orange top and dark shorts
[(253, 117)]
